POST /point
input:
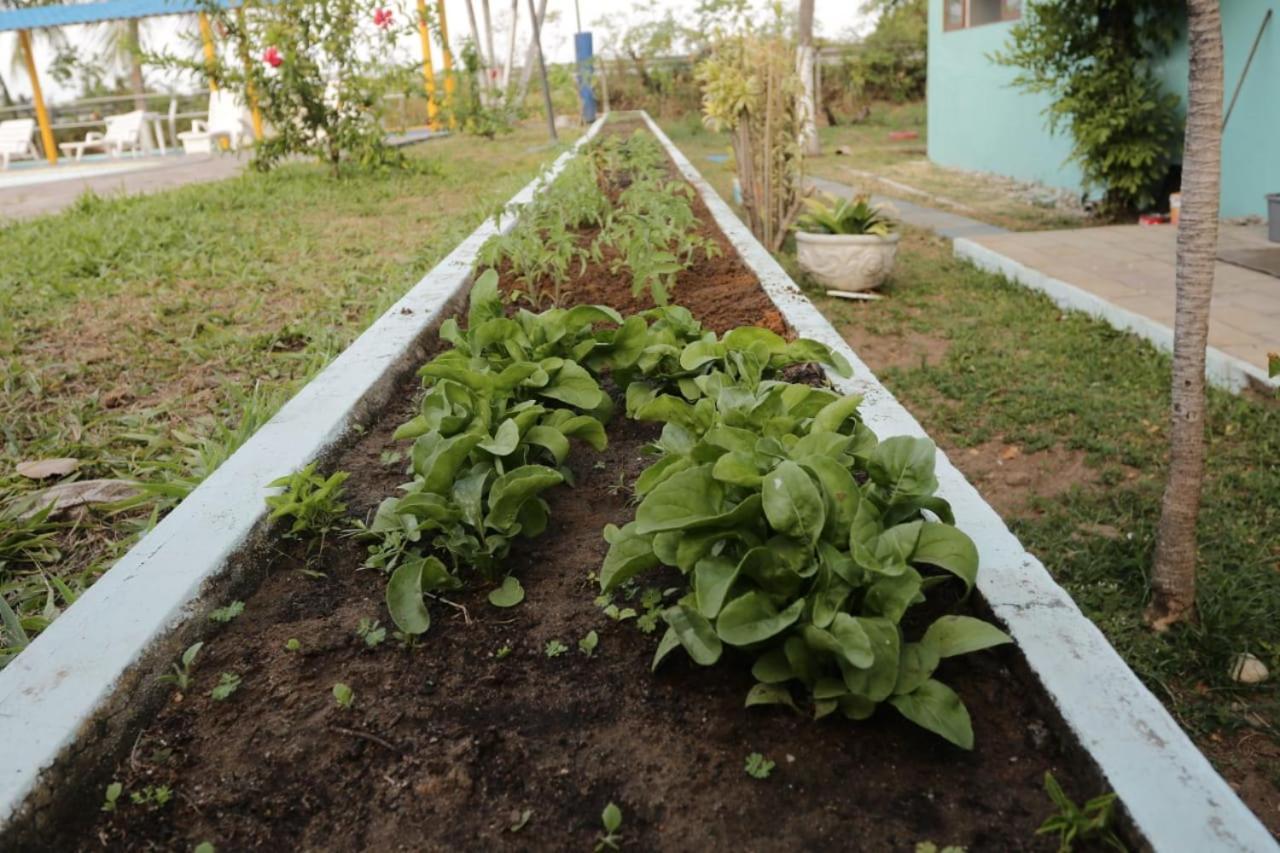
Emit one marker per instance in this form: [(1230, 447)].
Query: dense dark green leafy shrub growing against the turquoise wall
[(1095, 58)]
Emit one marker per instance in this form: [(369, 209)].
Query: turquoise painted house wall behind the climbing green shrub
[(977, 121)]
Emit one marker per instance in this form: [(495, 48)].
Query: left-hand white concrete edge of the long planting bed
[(53, 690)]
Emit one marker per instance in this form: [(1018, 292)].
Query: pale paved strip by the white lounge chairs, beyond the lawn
[(38, 199)]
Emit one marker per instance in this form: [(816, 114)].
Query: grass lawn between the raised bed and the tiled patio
[(1062, 422)]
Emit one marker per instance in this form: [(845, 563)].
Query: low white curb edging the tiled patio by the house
[(1220, 370)]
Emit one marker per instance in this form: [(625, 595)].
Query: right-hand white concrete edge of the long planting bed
[(1172, 792)]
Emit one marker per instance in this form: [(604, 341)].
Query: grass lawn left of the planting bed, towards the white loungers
[(149, 336)]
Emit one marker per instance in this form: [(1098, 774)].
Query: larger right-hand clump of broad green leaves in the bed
[(803, 539)]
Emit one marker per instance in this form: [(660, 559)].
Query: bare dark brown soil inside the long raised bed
[(459, 746)]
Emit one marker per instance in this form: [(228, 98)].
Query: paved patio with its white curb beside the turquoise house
[(1123, 275)]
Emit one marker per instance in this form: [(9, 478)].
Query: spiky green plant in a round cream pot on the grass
[(847, 244)]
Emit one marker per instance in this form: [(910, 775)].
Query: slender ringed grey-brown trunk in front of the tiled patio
[(1173, 580)]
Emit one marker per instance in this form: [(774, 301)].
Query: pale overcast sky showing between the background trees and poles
[(835, 19)]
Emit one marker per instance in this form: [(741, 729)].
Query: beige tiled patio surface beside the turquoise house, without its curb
[(1133, 268)]
